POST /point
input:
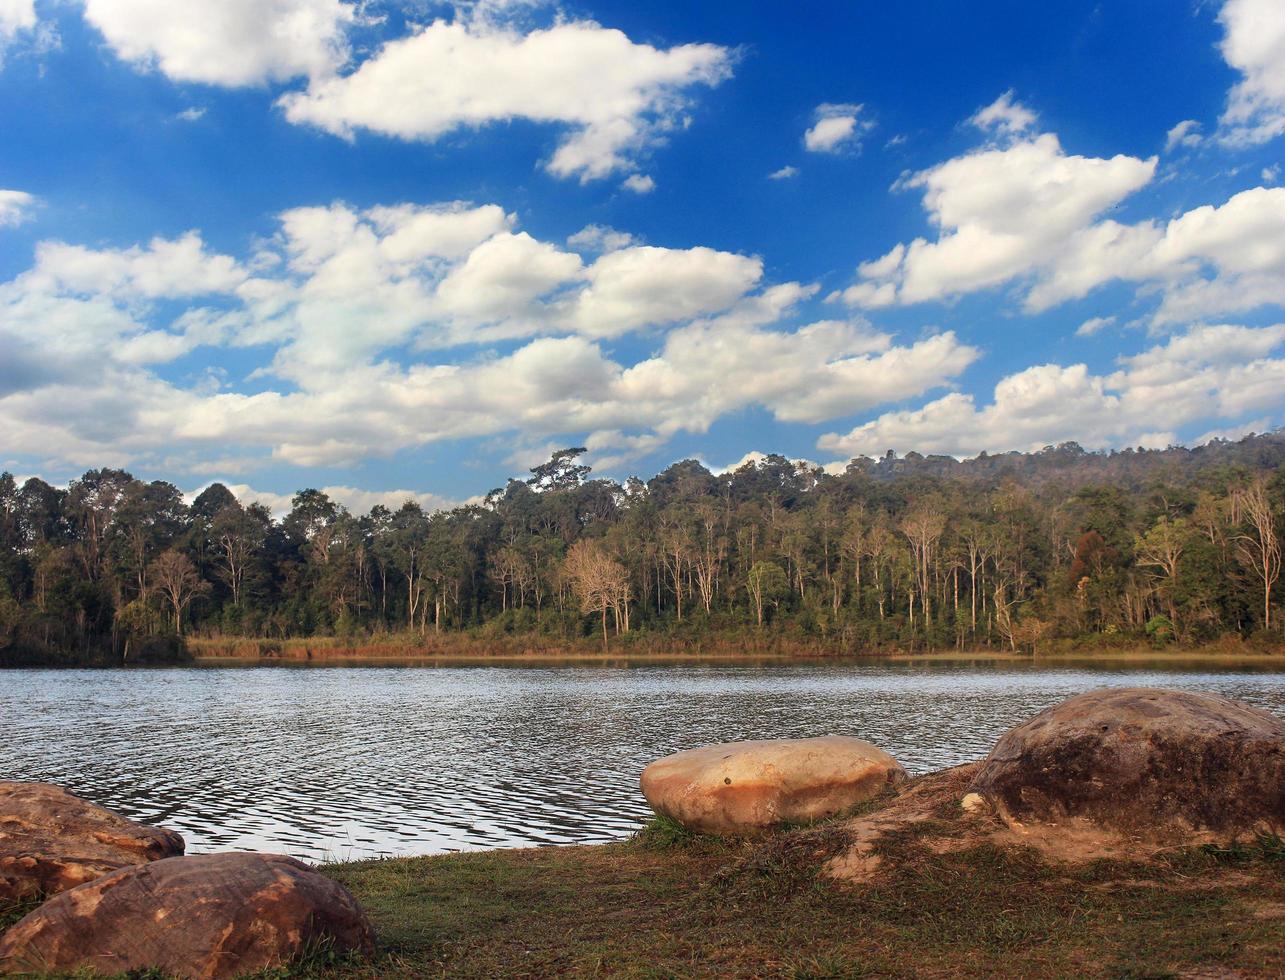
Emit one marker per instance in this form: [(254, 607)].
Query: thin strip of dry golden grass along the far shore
[(642, 647)]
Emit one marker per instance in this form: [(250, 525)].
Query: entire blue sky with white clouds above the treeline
[(414, 247)]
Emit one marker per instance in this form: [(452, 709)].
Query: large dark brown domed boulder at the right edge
[(1149, 764)]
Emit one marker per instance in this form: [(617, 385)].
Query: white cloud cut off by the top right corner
[(1255, 46)]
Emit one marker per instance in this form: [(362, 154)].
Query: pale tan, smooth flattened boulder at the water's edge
[(746, 788)]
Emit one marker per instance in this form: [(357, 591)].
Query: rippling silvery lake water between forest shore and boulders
[(351, 762)]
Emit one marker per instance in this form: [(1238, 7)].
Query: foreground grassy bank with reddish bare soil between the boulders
[(668, 905)]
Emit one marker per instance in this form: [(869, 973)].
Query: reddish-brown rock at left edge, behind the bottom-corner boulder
[(52, 841)]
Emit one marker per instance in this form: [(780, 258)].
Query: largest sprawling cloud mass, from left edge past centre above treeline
[(345, 306)]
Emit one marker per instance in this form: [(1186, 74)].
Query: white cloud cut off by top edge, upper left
[(229, 43)]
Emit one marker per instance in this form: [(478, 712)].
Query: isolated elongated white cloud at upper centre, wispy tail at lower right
[(619, 98)]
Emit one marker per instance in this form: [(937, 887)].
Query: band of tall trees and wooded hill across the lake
[(914, 553)]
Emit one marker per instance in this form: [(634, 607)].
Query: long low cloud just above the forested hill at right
[(1210, 373)]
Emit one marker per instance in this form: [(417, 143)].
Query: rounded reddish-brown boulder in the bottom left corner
[(208, 916)]
